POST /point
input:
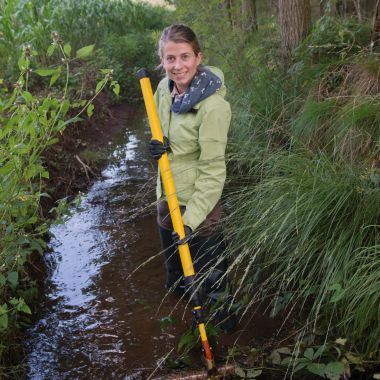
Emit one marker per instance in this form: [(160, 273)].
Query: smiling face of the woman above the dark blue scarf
[(180, 63)]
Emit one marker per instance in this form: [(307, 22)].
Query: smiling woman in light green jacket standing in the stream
[(195, 119)]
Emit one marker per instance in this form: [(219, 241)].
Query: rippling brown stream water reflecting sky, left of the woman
[(93, 322)]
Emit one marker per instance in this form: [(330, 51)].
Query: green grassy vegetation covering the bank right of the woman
[(304, 196)]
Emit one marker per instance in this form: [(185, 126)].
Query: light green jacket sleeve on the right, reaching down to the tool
[(211, 168)]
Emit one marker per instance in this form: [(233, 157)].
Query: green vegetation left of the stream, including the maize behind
[(55, 58)]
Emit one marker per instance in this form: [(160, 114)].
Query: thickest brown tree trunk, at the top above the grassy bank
[(295, 23)]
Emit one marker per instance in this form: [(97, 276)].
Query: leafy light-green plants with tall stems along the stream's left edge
[(30, 124)]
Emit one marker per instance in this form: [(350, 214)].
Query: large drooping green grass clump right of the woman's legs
[(302, 227)]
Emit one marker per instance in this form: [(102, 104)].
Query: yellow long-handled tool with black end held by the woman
[(175, 213)]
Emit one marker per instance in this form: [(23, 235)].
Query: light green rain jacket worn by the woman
[(197, 158)]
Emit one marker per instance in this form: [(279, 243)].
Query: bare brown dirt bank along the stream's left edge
[(77, 159)]
